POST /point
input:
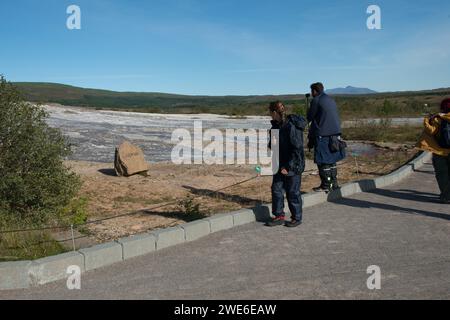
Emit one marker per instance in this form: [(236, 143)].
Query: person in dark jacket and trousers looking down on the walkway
[(291, 166)]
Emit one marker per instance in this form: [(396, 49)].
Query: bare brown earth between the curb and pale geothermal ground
[(166, 183)]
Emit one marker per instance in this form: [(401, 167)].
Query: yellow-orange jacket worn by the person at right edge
[(427, 141)]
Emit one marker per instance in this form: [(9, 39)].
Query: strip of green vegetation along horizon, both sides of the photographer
[(397, 104)]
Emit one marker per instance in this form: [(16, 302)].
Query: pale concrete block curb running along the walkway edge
[(23, 274)]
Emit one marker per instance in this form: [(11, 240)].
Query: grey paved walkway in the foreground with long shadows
[(403, 229)]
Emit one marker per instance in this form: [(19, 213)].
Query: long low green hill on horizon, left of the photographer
[(144, 101)]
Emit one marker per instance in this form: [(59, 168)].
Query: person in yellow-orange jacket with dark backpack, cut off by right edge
[(436, 139)]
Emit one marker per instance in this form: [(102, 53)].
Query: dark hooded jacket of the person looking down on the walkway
[(292, 156)]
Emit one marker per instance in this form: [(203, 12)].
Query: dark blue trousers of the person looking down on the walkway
[(291, 185)]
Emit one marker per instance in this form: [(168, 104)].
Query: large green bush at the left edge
[(35, 187)]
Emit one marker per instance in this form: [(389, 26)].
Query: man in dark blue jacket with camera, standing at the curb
[(324, 135)]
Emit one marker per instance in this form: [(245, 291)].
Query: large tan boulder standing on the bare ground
[(129, 160)]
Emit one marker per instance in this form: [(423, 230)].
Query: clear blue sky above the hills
[(221, 47)]
